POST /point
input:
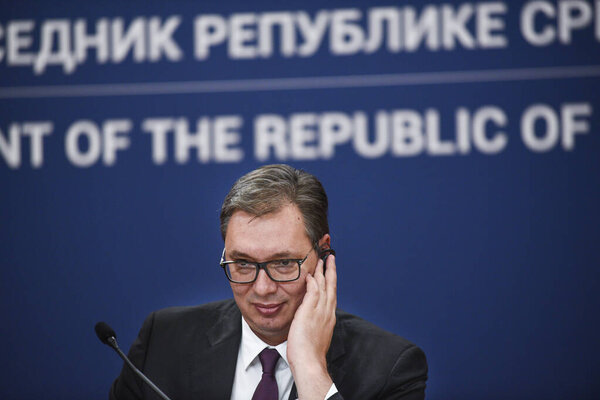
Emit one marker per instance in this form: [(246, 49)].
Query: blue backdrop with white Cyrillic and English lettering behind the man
[(461, 167)]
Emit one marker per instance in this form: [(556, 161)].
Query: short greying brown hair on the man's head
[(268, 188)]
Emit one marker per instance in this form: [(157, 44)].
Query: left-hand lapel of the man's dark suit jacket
[(214, 356)]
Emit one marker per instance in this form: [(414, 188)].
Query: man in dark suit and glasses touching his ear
[(281, 337)]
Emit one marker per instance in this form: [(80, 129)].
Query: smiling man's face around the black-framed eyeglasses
[(267, 306)]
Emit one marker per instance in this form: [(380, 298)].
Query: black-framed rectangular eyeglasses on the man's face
[(242, 271)]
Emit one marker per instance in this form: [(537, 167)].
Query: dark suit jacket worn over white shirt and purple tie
[(191, 353)]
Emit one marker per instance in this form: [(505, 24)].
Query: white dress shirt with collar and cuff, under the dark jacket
[(248, 370)]
